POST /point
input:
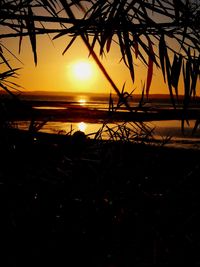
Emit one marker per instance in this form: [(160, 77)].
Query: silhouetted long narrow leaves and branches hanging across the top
[(158, 33)]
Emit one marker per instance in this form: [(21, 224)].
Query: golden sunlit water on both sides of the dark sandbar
[(168, 132)]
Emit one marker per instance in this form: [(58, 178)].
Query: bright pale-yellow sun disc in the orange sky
[(82, 70)]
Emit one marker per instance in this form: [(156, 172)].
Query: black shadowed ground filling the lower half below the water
[(67, 201)]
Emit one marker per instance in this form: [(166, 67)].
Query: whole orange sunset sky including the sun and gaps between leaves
[(74, 71)]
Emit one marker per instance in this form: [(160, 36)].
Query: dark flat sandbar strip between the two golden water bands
[(68, 112)]
